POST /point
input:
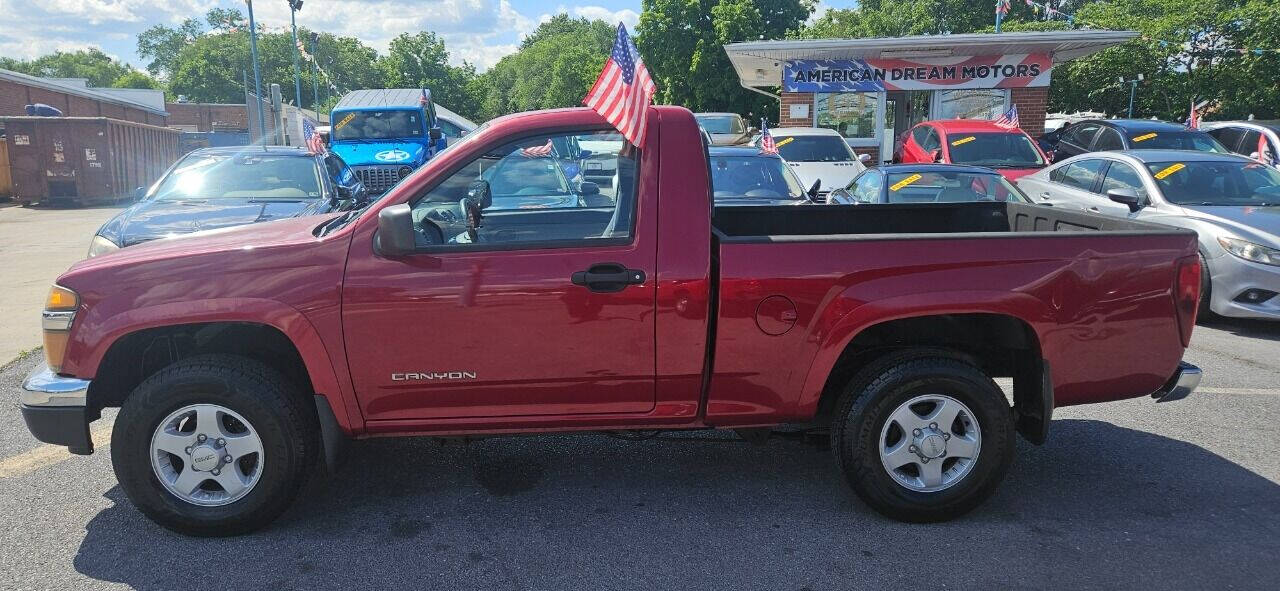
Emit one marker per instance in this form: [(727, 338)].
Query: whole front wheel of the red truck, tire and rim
[(214, 446)]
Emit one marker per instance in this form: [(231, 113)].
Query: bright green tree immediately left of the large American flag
[(555, 68)]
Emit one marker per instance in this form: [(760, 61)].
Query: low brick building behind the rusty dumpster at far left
[(74, 99)]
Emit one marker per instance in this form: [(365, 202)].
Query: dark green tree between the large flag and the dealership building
[(683, 42)]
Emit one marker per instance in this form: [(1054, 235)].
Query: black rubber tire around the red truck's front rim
[(287, 428)]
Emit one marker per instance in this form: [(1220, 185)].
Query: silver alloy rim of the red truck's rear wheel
[(930, 443)]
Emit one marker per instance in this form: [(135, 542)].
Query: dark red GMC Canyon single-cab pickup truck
[(244, 359)]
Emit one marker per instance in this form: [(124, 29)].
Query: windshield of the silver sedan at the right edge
[(1218, 182)]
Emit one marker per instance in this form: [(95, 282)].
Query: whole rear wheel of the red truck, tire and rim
[(924, 437)]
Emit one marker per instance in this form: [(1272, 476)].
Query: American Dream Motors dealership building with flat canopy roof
[(874, 90)]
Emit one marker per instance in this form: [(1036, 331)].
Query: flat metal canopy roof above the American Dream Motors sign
[(760, 63)]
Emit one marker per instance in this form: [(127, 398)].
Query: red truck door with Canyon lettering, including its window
[(543, 304)]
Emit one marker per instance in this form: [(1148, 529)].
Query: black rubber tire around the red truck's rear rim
[(879, 391)]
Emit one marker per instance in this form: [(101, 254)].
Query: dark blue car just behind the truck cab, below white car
[(744, 176)]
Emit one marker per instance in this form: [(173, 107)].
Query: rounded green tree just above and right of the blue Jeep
[(420, 61)]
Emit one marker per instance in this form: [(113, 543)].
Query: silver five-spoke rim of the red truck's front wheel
[(207, 455)]
